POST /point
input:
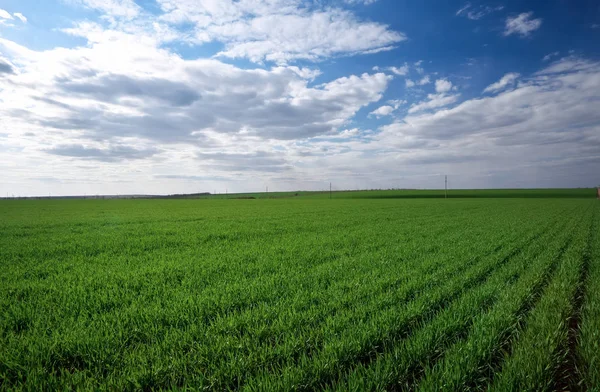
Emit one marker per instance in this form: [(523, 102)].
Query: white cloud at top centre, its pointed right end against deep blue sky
[(279, 30)]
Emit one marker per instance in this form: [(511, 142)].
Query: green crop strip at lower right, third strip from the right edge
[(469, 363)]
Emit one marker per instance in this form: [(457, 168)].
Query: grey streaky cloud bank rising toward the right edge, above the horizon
[(542, 132)]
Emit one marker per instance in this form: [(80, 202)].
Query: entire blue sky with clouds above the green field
[(182, 96)]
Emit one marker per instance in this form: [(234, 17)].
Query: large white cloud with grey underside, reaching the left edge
[(151, 94)]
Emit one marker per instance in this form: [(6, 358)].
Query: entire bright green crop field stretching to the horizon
[(385, 290)]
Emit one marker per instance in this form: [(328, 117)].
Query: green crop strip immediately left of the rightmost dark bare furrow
[(541, 353)]
